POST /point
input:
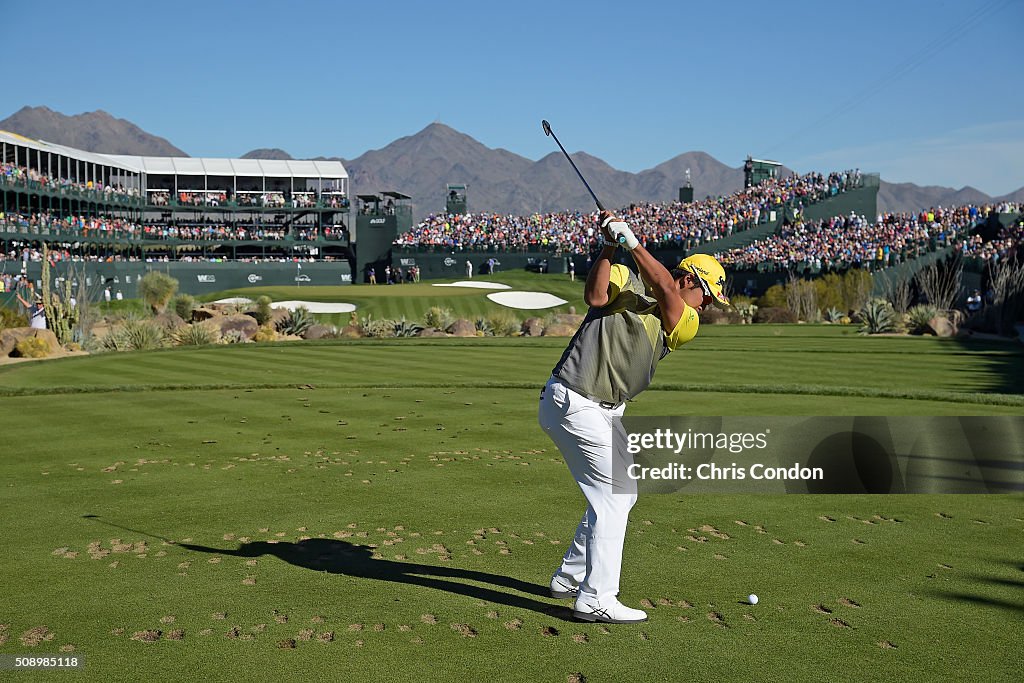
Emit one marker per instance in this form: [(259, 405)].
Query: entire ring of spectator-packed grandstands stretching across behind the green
[(224, 224)]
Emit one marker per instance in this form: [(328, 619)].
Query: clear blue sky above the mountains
[(925, 93)]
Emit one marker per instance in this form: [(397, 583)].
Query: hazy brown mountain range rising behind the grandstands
[(498, 181)]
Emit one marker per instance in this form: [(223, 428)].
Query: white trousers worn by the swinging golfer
[(583, 432)]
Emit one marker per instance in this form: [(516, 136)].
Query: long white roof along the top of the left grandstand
[(190, 165)]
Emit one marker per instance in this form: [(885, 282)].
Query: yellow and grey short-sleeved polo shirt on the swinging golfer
[(614, 355)]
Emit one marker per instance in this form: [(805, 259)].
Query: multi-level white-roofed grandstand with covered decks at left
[(122, 215)]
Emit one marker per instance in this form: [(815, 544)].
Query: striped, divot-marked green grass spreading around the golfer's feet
[(390, 510)]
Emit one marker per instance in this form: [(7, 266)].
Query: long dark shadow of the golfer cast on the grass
[(355, 561)]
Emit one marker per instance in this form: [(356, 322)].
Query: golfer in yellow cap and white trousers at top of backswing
[(632, 324)]
